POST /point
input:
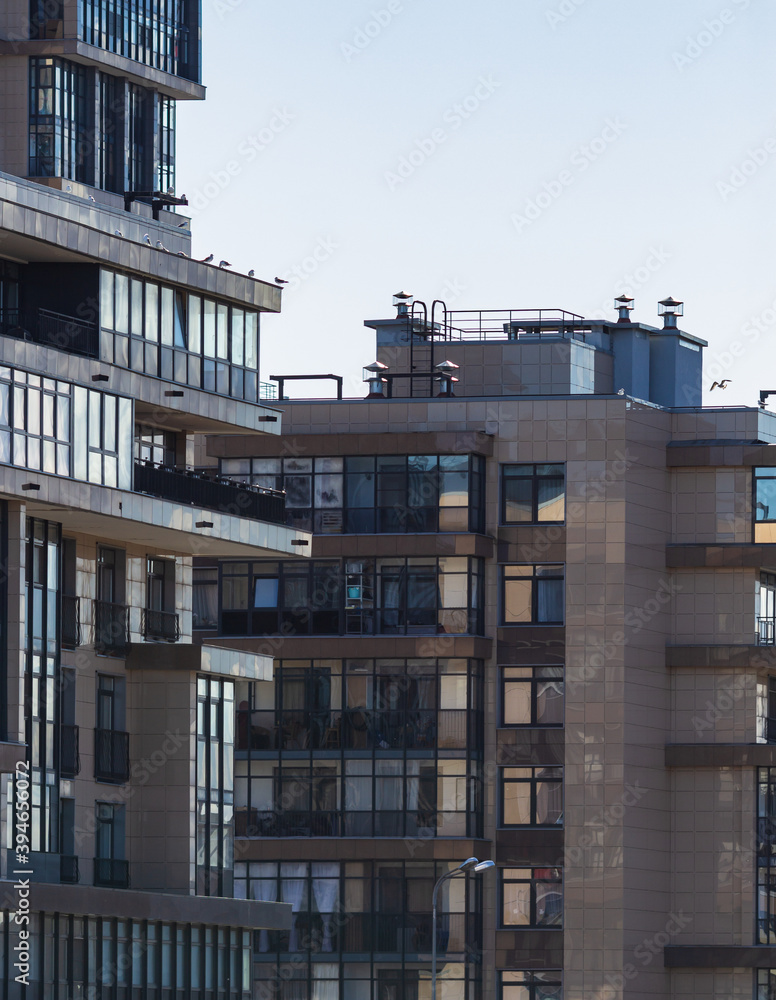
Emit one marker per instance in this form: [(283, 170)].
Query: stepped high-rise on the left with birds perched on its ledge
[(119, 356)]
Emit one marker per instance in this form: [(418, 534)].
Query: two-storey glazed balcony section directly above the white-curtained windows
[(361, 748)]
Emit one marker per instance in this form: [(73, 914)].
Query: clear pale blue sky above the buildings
[(524, 154)]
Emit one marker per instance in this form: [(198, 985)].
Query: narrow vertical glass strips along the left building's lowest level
[(73, 956)]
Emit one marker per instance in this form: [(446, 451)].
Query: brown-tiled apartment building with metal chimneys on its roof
[(537, 627)]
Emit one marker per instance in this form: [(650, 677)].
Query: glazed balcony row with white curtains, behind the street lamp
[(365, 907)]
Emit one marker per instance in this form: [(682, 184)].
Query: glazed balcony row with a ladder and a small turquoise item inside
[(415, 596)]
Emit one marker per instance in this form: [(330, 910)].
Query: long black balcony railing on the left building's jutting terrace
[(210, 492)]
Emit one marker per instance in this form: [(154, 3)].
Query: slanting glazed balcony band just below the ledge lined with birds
[(188, 339)]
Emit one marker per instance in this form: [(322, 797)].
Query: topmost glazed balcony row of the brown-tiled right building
[(373, 494)]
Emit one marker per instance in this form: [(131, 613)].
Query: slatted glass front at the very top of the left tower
[(153, 32)]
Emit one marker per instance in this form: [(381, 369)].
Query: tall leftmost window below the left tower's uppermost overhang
[(58, 119)]
